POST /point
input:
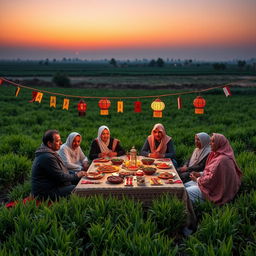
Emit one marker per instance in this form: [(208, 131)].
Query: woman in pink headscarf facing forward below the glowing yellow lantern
[(159, 144)]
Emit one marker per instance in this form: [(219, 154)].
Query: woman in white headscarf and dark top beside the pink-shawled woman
[(198, 158)]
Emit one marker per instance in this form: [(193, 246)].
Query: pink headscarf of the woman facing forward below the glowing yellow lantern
[(163, 144)]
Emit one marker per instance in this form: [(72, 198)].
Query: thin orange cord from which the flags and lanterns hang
[(128, 97)]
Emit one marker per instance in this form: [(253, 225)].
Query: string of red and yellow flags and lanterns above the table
[(104, 103)]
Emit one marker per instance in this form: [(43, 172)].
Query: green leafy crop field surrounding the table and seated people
[(93, 226)]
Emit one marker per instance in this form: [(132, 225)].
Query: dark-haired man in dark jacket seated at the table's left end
[(50, 177)]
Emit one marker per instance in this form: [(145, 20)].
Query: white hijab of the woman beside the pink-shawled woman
[(200, 154)]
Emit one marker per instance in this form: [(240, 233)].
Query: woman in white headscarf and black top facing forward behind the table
[(105, 146)]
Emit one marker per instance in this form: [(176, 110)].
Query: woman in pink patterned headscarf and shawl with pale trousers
[(221, 177)]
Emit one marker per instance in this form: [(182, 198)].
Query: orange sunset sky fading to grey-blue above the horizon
[(128, 29)]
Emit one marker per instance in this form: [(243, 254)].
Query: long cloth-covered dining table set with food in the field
[(145, 193)]
